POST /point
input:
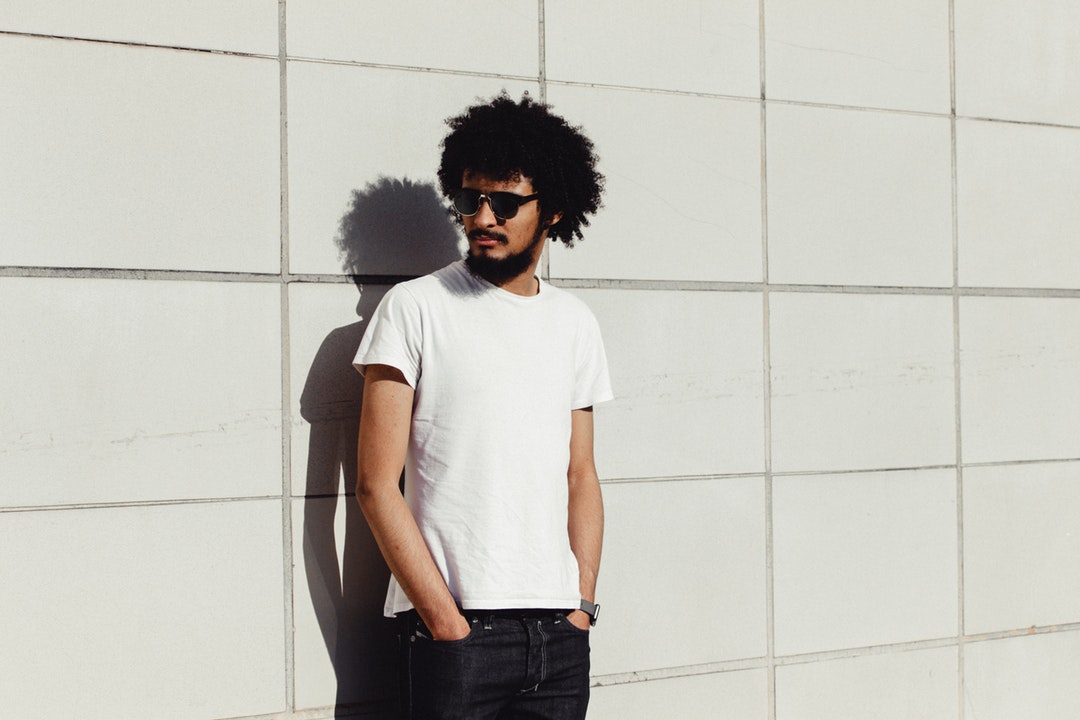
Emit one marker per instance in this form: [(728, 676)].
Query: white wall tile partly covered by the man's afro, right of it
[(683, 197)]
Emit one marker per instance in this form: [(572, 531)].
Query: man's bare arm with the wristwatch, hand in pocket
[(586, 525)]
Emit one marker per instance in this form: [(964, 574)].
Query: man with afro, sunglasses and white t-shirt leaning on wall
[(480, 381)]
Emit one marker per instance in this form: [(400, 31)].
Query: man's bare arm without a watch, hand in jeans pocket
[(385, 424)]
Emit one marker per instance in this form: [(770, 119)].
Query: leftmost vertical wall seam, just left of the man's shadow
[(287, 447)]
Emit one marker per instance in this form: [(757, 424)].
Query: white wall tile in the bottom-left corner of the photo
[(170, 613)]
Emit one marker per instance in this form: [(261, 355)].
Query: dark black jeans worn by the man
[(514, 665)]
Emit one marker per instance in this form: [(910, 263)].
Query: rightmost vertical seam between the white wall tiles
[(956, 365)]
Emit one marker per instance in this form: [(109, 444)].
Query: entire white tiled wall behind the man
[(843, 320)]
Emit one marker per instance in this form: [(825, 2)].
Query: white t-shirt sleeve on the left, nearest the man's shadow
[(394, 336)]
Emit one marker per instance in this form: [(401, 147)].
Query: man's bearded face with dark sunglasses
[(504, 250)]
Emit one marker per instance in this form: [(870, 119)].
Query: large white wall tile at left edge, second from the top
[(139, 158)]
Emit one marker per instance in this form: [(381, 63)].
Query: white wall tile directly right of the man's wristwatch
[(684, 575)]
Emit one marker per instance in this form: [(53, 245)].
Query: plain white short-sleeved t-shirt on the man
[(496, 377)]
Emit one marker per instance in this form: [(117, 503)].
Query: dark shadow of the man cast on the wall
[(394, 230)]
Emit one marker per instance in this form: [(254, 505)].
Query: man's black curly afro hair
[(505, 140)]
